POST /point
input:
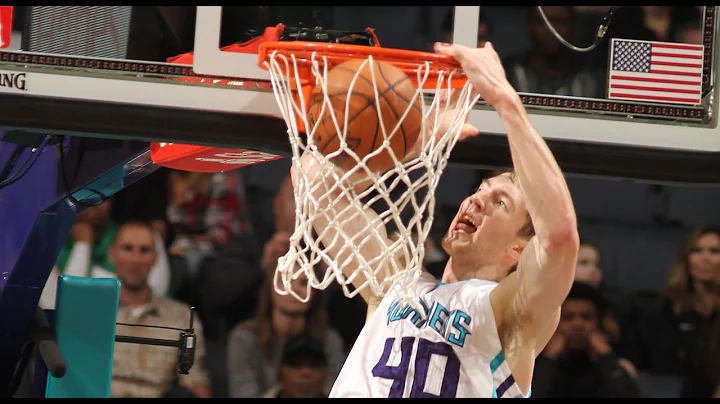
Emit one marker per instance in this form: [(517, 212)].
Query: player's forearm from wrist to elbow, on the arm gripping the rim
[(541, 180)]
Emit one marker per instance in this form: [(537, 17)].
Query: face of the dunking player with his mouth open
[(488, 221)]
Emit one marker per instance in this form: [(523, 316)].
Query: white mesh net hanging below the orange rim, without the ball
[(355, 218)]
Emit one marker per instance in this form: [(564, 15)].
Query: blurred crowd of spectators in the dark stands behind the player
[(178, 240)]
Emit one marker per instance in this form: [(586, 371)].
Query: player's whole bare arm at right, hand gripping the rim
[(546, 267)]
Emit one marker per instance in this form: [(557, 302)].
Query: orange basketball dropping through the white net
[(364, 130)]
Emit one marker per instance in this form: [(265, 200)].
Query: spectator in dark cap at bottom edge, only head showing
[(303, 370)]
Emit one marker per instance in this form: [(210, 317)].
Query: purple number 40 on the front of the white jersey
[(425, 350)]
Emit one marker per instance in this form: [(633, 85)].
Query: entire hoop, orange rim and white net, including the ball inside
[(360, 132)]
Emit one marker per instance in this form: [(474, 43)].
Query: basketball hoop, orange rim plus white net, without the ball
[(296, 68)]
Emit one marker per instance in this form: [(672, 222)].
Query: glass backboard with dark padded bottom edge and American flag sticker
[(106, 67)]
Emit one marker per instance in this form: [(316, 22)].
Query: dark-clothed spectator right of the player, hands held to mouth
[(578, 361)]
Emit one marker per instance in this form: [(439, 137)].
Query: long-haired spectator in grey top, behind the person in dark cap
[(254, 346)]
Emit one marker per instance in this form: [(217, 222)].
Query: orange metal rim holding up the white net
[(410, 62)]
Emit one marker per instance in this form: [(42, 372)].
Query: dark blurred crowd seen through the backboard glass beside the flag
[(548, 66)]
